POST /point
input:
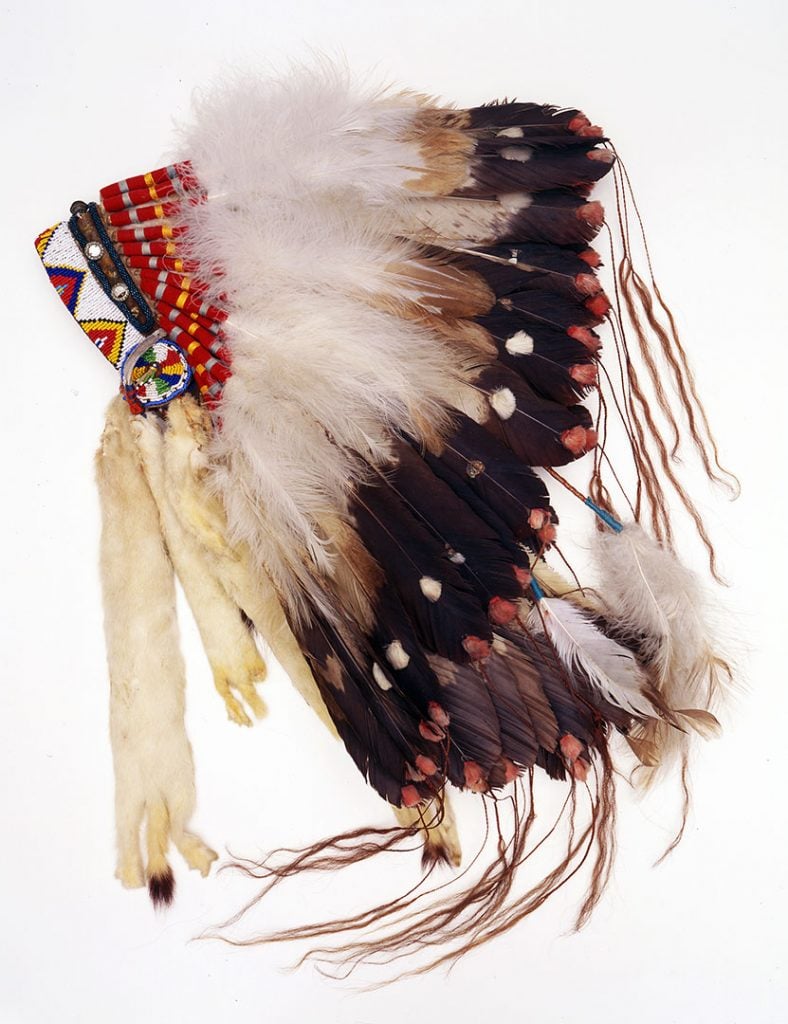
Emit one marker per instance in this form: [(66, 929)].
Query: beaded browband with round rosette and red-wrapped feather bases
[(120, 270)]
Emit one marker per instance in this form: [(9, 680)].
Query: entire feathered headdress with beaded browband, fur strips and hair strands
[(355, 346)]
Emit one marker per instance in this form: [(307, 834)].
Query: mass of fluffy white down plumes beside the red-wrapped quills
[(297, 176)]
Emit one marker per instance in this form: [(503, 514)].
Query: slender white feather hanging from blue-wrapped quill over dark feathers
[(582, 647)]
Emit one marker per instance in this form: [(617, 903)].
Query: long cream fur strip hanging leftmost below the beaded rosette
[(154, 770)]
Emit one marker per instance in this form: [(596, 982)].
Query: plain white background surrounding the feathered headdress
[(694, 97)]
